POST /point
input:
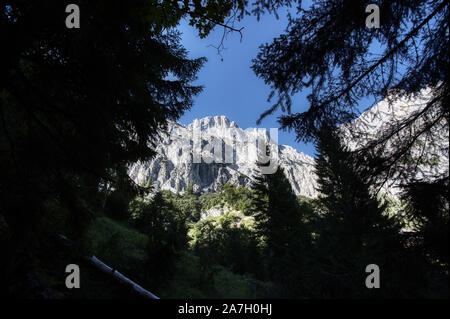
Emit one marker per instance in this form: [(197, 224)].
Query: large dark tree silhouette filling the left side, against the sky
[(78, 105)]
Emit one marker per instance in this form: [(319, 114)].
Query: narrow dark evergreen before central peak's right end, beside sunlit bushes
[(278, 222)]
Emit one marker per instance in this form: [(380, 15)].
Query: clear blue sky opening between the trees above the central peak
[(231, 87)]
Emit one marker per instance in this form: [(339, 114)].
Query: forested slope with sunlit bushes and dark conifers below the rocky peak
[(264, 247)]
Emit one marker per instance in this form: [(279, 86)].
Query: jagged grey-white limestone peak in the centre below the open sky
[(175, 166)]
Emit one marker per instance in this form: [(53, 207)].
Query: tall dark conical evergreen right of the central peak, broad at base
[(354, 232)]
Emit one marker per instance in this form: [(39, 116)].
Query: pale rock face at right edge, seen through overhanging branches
[(428, 156)]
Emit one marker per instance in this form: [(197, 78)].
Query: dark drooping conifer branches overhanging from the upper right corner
[(328, 52)]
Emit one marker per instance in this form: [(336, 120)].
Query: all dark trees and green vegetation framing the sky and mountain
[(79, 106)]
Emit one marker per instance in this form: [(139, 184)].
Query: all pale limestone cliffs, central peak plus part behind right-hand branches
[(213, 150)]
